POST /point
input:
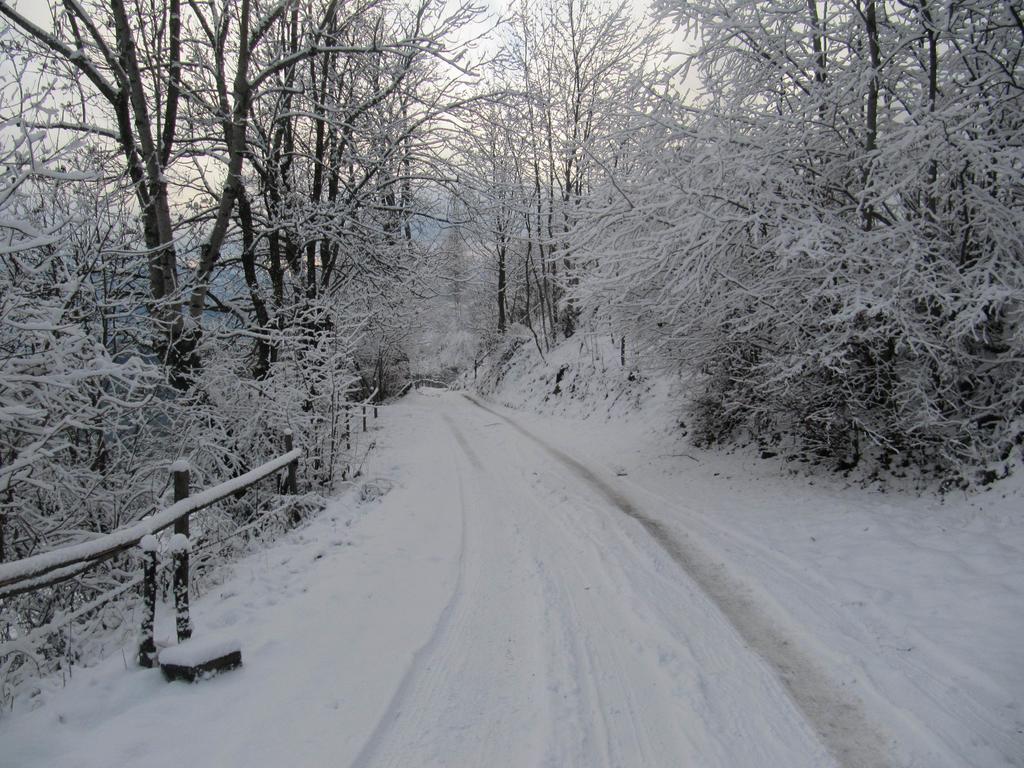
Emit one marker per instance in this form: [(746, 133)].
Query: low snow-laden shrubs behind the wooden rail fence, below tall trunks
[(90, 425)]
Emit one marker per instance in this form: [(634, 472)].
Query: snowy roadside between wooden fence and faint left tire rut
[(329, 620)]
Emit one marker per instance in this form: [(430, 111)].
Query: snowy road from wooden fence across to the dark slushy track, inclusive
[(504, 606)]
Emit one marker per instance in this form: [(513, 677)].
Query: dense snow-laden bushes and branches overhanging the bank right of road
[(847, 280)]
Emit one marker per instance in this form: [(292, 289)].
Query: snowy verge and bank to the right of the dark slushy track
[(915, 603)]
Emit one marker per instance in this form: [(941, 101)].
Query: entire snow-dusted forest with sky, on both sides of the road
[(225, 220)]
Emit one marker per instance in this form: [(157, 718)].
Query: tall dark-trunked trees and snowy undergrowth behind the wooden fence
[(208, 214)]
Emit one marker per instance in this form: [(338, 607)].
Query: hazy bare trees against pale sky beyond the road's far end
[(571, 90)]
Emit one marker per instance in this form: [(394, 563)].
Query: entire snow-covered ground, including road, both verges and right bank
[(574, 588)]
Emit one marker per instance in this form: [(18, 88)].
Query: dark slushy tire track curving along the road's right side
[(836, 715)]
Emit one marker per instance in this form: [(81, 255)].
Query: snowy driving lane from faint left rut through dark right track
[(575, 637)]
